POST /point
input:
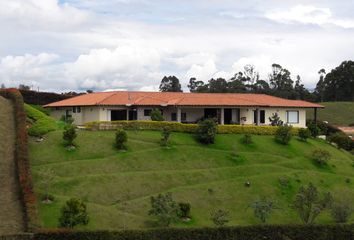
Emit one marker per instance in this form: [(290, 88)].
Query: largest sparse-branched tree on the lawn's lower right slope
[(309, 204)]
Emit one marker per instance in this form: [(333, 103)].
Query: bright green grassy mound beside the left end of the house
[(40, 123)]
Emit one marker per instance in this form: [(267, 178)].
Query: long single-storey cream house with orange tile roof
[(228, 108)]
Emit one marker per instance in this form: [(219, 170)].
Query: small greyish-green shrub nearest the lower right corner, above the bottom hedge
[(341, 208)]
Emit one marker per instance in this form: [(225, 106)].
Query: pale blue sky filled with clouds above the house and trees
[(65, 45)]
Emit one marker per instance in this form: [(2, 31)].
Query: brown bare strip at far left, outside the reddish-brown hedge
[(11, 218)]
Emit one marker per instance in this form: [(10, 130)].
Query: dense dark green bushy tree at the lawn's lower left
[(73, 213)]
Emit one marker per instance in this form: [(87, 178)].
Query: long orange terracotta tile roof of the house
[(180, 99)]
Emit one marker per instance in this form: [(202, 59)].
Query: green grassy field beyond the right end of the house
[(336, 113)]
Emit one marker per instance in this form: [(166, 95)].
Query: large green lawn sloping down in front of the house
[(117, 186)]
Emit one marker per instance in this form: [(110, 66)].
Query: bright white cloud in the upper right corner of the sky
[(308, 14)]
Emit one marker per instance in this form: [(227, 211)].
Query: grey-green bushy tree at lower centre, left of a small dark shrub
[(164, 208)]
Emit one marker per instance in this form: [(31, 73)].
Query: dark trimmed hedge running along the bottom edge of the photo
[(259, 232)]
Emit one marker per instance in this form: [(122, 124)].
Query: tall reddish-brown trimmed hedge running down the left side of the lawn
[(28, 198)]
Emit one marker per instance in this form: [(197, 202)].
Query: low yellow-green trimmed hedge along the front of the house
[(182, 127)]
